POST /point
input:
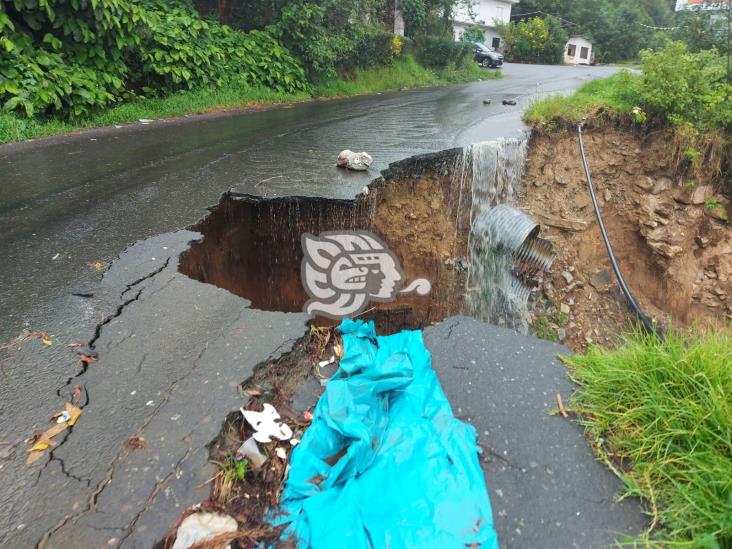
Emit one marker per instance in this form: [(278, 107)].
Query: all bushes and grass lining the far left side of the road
[(66, 66)]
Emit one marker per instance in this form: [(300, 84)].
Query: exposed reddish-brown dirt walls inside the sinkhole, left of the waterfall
[(252, 248)]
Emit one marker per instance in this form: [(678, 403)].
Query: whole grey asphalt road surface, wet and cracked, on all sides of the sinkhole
[(172, 351)]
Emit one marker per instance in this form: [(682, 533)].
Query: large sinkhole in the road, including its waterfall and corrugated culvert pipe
[(442, 215)]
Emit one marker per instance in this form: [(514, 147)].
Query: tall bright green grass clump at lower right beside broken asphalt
[(660, 414)]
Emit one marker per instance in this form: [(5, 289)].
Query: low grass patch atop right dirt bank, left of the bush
[(609, 97)]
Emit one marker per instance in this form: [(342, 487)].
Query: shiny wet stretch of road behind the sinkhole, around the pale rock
[(86, 197)]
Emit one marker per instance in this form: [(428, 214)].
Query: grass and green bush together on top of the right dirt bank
[(686, 92)]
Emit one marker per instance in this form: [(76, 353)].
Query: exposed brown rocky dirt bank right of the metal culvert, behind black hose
[(670, 236)]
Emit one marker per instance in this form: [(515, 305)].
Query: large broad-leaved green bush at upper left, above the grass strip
[(69, 57)]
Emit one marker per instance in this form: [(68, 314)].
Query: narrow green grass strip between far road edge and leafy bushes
[(404, 73)]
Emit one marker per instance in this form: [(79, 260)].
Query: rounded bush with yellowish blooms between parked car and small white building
[(534, 40)]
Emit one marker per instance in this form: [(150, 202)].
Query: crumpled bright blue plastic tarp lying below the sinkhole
[(384, 463)]
